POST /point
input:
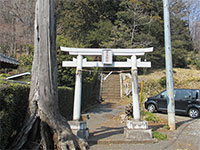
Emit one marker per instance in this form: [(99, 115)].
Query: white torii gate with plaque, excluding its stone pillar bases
[(107, 55)]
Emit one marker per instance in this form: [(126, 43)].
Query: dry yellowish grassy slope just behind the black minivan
[(155, 82)]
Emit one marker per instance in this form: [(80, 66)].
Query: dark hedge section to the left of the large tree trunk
[(13, 106)]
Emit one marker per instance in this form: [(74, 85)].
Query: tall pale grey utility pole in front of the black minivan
[(169, 68)]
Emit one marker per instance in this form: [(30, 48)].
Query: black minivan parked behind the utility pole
[(187, 101)]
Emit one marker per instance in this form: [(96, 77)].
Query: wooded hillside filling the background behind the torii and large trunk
[(101, 24)]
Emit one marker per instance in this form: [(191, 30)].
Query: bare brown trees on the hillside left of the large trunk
[(16, 24)]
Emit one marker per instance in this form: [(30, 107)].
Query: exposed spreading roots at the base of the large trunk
[(39, 135)]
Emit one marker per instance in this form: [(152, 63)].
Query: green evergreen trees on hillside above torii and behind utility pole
[(126, 24)]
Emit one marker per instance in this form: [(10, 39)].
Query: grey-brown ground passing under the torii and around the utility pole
[(105, 124)]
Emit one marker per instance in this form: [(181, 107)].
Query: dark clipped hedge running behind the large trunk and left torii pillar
[(14, 104)]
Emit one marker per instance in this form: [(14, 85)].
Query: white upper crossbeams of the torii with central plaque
[(106, 57)]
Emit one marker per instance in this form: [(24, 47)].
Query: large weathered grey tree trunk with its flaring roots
[(45, 128)]
